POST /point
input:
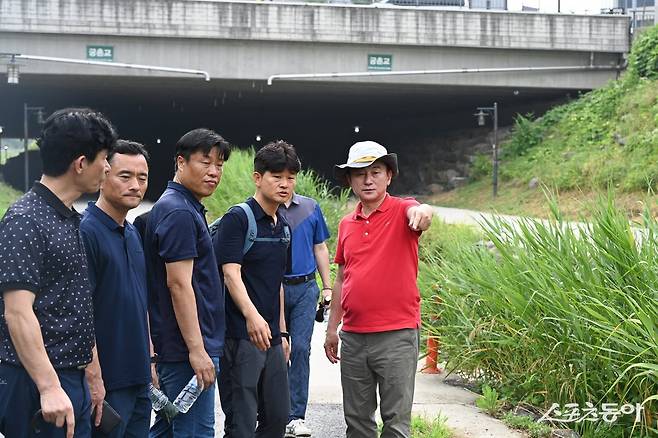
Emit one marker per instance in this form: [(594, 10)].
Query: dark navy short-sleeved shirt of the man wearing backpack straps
[(262, 266)]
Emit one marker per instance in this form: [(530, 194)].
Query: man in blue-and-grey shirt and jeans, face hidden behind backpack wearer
[(309, 253)]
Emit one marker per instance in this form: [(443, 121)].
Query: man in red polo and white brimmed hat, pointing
[(376, 295)]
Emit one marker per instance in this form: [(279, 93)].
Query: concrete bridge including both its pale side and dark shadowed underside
[(241, 44)]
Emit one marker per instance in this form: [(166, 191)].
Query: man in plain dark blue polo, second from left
[(119, 371)]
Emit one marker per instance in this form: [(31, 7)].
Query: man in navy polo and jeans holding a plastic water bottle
[(186, 300)]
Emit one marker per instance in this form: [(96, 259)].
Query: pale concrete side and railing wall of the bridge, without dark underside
[(251, 41)]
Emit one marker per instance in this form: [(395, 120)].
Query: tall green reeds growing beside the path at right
[(556, 312)]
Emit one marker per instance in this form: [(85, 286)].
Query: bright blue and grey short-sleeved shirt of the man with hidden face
[(308, 229)]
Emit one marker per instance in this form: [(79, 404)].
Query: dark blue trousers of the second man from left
[(134, 407)]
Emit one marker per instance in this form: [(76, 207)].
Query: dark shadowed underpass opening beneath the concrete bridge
[(319, 118)]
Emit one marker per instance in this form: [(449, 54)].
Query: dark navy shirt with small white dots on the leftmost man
[(41, 251)]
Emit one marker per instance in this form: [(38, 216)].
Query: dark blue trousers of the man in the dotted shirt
[(20, 400)]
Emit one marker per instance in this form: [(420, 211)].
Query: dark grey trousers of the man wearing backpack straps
[(253, 387)]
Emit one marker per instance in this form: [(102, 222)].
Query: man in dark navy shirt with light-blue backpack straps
[(253, 382)]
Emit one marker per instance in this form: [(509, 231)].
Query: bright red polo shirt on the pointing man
[(379, 254)]
